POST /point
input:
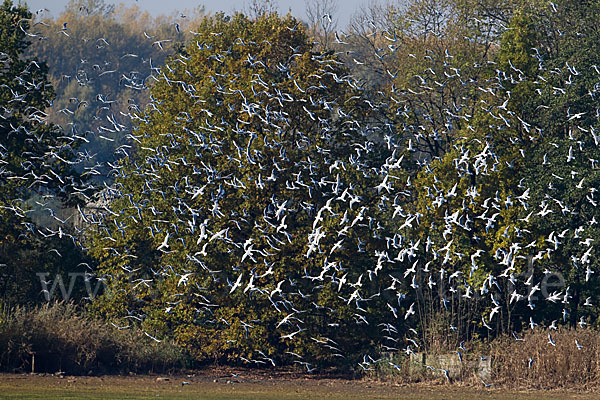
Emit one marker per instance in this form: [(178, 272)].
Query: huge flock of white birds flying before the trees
[(400, 272)]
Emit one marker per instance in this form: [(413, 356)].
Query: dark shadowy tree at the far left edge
[(36, 159)]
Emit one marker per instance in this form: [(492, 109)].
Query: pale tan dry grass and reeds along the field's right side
[(558, 366)]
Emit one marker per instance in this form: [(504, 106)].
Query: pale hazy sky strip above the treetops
[(156, 7)]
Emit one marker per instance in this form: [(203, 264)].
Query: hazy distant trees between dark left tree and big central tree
[(105, 78)]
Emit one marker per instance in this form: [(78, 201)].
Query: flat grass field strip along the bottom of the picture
[(223, 387)]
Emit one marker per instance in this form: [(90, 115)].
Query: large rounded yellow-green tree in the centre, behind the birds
[(253, 180)]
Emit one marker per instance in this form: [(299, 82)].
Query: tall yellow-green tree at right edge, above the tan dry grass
[(511, 205)]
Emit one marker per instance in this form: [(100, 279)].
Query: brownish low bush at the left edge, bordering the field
[(61, 338)]
